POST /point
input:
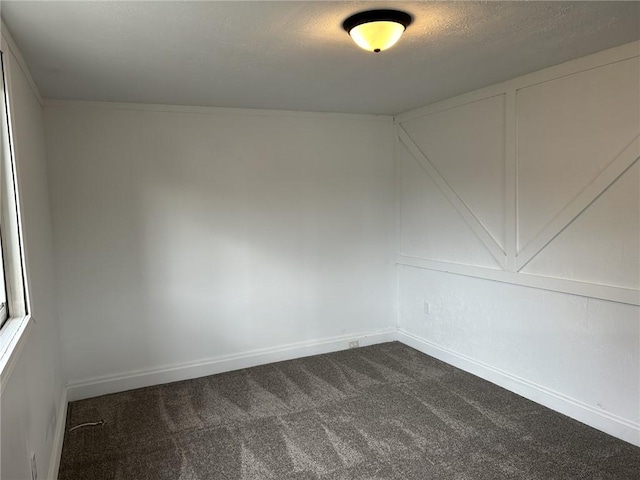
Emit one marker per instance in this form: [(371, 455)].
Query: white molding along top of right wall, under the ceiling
[(596, 60)]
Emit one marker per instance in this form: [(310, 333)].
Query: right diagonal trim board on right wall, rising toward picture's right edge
[(623, 161)]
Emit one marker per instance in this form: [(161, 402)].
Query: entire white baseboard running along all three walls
[(613, 425)]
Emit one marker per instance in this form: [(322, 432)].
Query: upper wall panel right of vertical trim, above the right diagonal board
[(568, 130)]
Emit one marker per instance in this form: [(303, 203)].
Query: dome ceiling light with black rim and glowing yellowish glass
[(377, 30)]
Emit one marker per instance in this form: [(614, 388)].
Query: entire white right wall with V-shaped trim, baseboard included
[(545, 162)]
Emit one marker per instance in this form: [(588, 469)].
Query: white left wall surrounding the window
[(32, 402)]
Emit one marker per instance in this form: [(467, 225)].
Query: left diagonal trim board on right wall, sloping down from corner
[(455, 200)]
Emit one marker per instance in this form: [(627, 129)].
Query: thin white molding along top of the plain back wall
[(251, 112)]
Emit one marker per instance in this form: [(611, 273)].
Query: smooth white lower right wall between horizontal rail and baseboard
[(585, 349)]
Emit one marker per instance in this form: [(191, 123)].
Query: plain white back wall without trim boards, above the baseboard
[(184, 235)]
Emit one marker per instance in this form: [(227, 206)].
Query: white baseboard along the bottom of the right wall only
[(598, 419)]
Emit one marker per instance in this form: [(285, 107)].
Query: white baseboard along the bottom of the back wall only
[(93, 387)]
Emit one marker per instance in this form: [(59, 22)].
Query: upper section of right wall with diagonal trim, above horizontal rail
[(533, 159)]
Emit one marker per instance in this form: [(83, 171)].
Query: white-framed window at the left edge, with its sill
[(14, 318)]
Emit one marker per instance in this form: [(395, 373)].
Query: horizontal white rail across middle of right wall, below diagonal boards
[(584, 289)]
